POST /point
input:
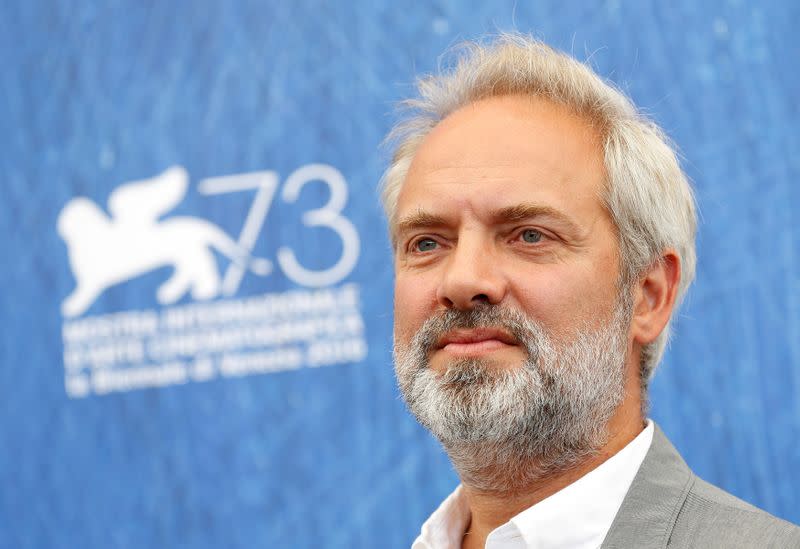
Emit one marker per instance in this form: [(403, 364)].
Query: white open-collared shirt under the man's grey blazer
[(576, 517)]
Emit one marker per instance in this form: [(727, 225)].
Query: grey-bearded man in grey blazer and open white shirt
[(543, 235)]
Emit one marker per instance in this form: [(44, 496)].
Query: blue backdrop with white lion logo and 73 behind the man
[(138, 415)]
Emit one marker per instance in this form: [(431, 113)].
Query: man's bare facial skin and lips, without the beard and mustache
[(502, 205)]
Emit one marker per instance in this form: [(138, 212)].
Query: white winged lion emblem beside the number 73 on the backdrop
[(107, 250)]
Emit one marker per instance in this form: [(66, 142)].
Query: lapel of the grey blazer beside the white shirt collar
[(651, 506)]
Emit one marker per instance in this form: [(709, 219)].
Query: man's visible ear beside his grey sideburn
[(654, 298)]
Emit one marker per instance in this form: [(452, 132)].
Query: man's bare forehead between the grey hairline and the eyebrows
[(501, 151)]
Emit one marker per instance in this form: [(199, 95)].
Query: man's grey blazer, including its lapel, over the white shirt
[(668, 506)]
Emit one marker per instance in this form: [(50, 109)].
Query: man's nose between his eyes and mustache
[(473, 275)]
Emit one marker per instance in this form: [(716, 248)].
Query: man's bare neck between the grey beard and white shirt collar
[(492, 508)]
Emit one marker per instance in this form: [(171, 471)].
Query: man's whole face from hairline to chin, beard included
[(510, 334)]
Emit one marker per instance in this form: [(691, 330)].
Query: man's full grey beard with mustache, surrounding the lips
[(505, 428)]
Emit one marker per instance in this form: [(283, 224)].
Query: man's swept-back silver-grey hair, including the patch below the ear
[(647, 194)]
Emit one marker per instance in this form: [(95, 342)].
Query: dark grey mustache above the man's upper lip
[(520, 326)]
